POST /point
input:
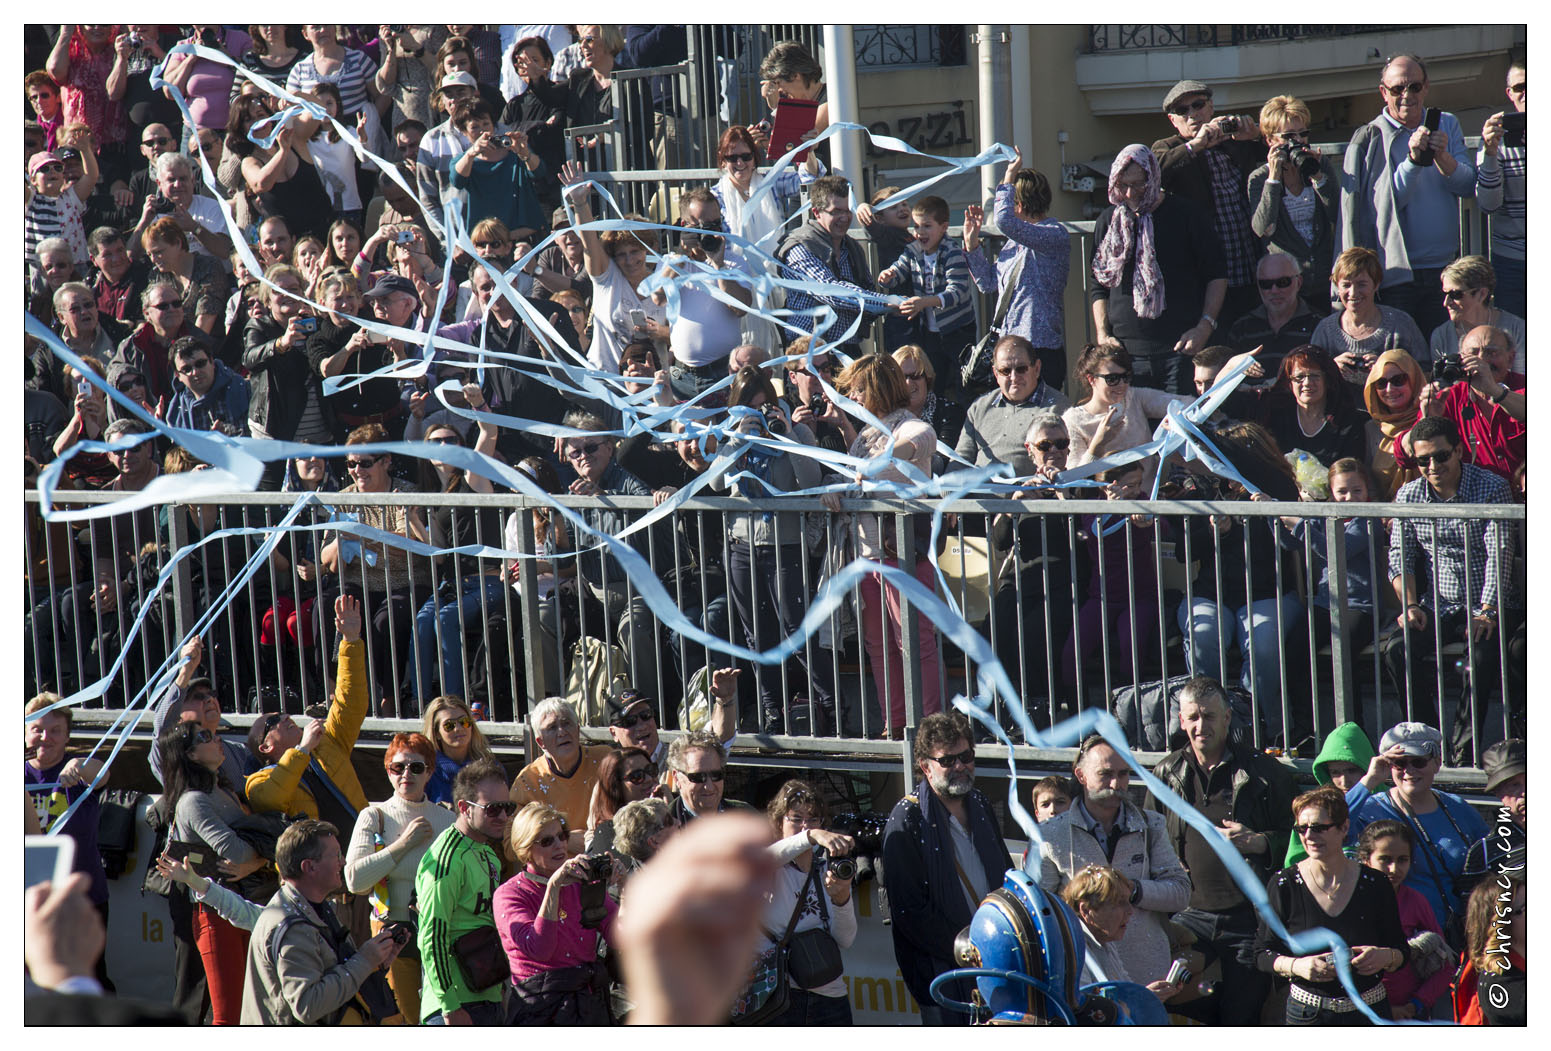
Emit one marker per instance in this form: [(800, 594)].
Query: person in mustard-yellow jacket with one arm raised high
[(309, 771)]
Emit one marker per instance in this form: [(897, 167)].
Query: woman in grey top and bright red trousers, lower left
[(204, 808)]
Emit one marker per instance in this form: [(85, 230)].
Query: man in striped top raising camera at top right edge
[(1502, 185)]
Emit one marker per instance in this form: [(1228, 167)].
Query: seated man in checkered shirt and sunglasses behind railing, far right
[(1471, 596)]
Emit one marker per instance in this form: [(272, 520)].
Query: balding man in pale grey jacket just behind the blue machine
[(1107, 829)]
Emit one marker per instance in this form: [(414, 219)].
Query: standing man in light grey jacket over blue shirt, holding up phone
[(1401, 182)]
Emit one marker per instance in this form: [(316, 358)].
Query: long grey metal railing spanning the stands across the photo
[(1037, 579)]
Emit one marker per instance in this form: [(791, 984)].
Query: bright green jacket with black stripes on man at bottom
[(455, 892)]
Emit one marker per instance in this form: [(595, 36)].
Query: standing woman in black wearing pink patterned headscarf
[(1159, 274)]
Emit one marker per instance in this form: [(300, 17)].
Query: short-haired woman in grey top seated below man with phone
[(1363, 329)]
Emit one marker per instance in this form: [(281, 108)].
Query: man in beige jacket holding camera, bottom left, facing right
[(303, 968)]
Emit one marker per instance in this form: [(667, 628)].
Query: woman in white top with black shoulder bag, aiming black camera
[(798, 816)]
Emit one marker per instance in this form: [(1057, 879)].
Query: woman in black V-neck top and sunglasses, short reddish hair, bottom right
[(1338, 894)]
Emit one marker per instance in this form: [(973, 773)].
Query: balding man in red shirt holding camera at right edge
[(1485, 399)]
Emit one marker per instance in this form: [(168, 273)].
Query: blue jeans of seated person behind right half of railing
[(1207, 627)]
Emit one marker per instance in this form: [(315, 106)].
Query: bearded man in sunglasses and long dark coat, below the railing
[(942, 852)]
